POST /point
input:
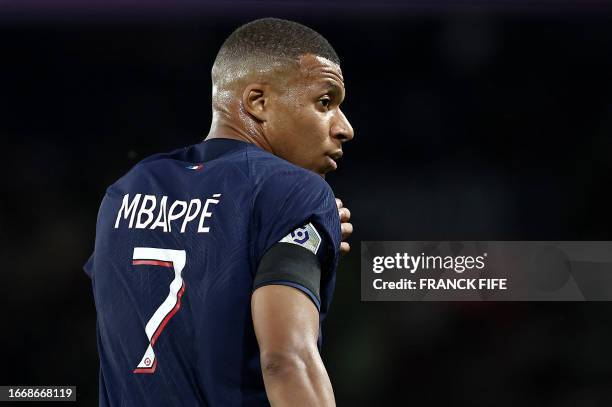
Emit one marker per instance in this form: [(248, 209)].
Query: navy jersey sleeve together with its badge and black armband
[(297, 233)]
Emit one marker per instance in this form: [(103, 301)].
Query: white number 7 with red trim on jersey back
[(164, 258)]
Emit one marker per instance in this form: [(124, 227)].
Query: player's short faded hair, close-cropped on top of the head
[(264, 44)]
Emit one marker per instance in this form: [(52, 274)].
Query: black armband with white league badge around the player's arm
[(293, 262)]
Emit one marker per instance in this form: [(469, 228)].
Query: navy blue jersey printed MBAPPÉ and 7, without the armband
[(178, 242)]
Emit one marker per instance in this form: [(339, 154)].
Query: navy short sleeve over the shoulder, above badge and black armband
[(290, 200)]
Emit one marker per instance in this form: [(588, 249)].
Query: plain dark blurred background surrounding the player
[(473, 121)]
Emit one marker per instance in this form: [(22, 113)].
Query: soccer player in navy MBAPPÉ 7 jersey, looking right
[(214, 265)]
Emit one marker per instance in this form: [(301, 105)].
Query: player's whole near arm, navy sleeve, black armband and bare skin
[(296, 240)]
